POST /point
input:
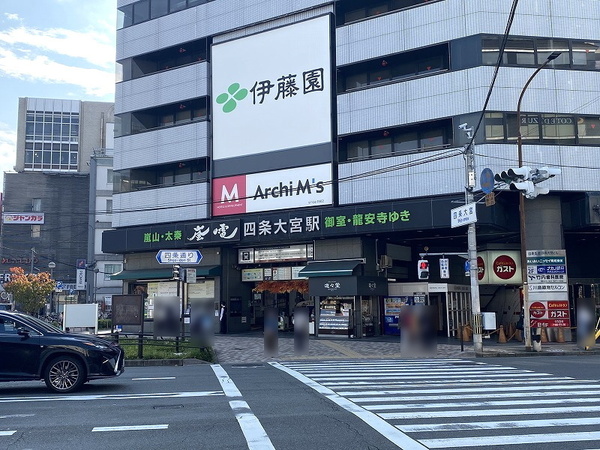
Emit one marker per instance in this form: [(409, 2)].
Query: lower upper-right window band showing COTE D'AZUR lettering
[(539, 128)]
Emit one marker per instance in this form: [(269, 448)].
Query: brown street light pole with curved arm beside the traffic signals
[(523, 237)]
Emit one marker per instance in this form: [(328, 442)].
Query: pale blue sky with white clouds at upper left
[(53, 49)]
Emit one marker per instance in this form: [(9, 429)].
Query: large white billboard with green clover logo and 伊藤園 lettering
[(272, 90)]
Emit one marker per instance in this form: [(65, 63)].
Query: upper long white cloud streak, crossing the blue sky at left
[(94, 47)]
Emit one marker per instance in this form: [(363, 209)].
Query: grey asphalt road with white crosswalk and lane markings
[(316, 405)]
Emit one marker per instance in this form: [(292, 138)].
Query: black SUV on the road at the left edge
[(31, 349)]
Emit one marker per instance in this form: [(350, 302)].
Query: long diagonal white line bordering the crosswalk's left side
[(385, 429)]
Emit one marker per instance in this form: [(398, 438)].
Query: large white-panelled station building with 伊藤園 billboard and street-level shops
[(313, 151)]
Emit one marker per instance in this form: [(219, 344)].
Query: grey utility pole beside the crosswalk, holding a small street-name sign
[(472, 244)]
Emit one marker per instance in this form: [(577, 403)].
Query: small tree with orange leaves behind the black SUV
[(30, 290)]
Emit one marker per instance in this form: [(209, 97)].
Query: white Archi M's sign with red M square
[(268, 191)]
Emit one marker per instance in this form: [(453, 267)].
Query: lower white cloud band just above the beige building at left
[(33, 67)]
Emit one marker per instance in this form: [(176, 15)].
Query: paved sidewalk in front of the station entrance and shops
[(249, 348)]
